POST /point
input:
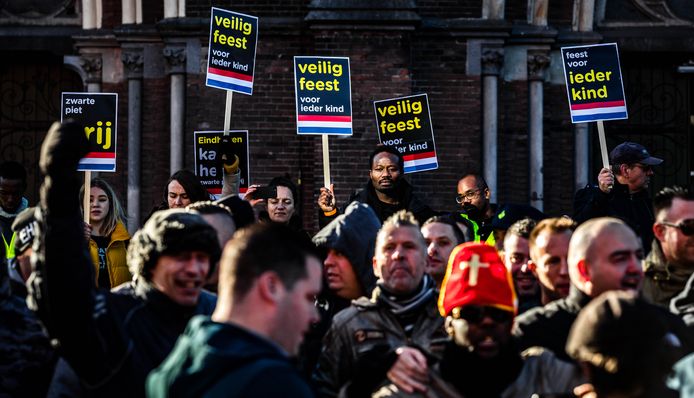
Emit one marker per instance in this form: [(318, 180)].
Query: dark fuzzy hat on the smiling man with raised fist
[(170, 232)]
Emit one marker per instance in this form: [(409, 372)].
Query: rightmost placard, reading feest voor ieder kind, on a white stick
[(594, 83)]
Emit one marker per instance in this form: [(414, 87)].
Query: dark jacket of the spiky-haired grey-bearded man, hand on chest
[(368, 326)]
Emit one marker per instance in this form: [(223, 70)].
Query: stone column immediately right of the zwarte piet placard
[(133, 60)]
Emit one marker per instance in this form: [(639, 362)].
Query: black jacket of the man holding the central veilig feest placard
[(406, 200)]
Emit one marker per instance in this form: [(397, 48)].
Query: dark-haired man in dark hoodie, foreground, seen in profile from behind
[(265, 306)]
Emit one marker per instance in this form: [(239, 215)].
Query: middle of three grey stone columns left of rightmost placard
[(538, 60)]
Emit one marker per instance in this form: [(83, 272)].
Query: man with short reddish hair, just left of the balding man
[(549, 245)]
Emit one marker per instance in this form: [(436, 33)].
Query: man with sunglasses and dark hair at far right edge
[(671, 260)]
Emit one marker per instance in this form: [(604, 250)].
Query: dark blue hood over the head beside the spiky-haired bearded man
[(354, 235)]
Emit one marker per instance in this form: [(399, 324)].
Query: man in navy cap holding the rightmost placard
[(621, 191)]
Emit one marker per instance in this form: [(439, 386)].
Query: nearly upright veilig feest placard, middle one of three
[(323, 95)]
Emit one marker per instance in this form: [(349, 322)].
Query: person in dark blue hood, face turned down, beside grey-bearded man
[(348, 242)]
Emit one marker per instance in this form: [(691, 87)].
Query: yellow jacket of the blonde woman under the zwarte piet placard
[(116, 256)]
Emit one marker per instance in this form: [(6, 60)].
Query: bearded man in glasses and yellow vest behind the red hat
[(473, 196)]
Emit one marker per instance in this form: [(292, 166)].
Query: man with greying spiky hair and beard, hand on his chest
[(368, 342)]
